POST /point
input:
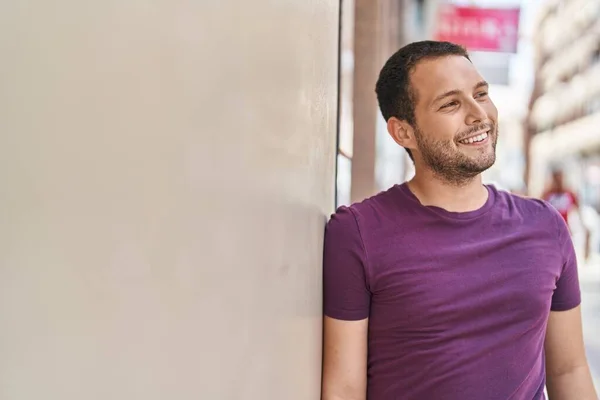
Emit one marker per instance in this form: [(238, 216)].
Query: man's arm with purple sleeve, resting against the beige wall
[(346, 304)]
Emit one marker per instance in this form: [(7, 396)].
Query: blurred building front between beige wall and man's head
[(371, 31)]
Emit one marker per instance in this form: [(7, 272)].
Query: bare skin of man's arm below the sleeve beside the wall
[(345, 359)]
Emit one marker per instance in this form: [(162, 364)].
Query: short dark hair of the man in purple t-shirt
[(395, 96)]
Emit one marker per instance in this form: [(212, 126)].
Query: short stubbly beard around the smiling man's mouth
[(452, 165)]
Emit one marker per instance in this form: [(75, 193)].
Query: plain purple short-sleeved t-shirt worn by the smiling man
[(457, 303)]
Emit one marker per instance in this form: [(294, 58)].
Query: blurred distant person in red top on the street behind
[(566, 203)]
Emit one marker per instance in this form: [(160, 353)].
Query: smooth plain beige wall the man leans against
[(166, 169)]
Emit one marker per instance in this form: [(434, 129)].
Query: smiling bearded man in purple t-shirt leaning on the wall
[(441, 287)]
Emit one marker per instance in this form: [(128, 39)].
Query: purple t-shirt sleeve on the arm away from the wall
[(567, 294)]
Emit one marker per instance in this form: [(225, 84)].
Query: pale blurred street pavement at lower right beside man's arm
[(589, 276)]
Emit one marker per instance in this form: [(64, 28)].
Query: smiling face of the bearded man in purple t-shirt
[(456, 121)]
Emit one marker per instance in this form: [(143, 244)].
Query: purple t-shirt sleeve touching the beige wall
[(345, 289)]
